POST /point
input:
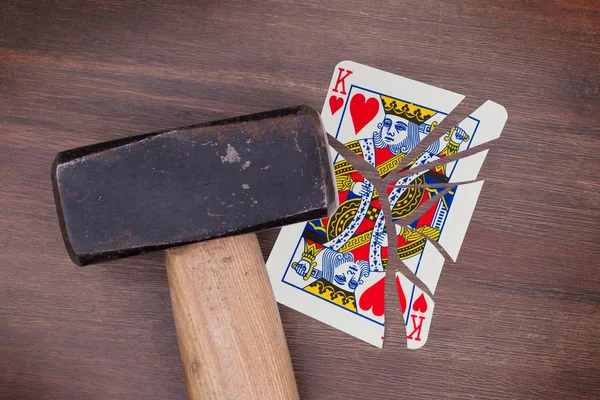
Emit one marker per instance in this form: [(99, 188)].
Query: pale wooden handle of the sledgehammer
[(230, 336)]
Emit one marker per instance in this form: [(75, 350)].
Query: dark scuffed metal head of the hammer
[(170, 188)]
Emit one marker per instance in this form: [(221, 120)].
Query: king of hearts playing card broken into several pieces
[(333, 269)]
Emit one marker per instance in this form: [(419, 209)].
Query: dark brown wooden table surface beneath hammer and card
[(516, 317)]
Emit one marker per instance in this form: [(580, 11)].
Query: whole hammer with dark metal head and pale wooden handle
[(177, 189)]
